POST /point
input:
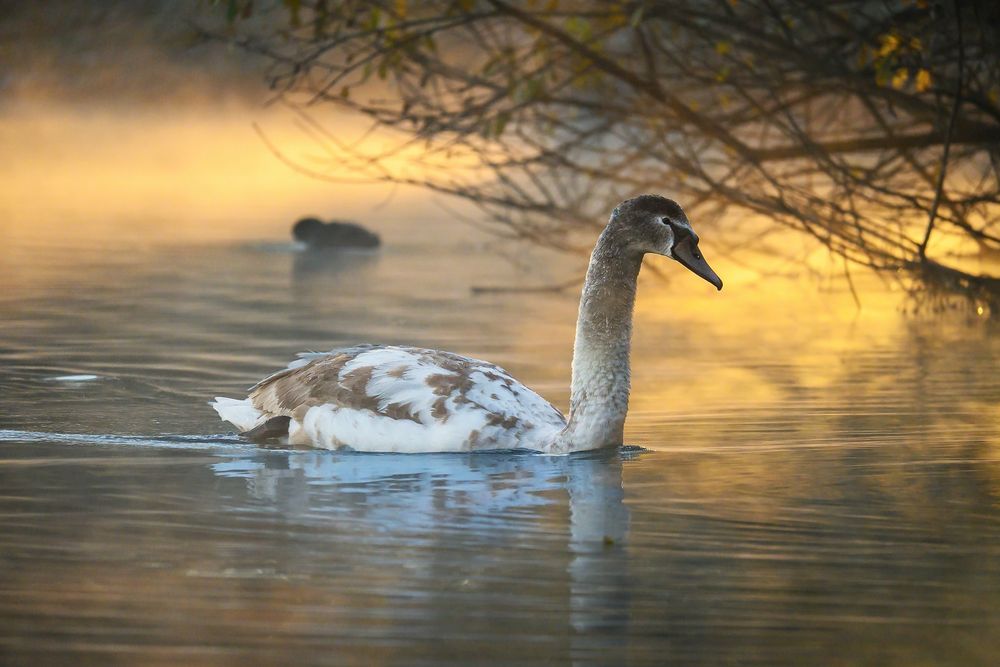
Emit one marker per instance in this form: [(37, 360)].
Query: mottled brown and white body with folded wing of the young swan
[(397, 398)]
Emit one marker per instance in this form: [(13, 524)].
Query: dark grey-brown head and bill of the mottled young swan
[(650, 223)]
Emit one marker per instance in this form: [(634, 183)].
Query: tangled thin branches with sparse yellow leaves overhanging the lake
[(873, 127)]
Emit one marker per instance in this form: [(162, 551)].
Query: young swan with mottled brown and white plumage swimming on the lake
[(388, 398)]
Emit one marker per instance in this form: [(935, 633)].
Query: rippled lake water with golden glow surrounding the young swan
[(806, 483)]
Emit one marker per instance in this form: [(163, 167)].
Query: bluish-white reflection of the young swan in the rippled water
[(467, 506)]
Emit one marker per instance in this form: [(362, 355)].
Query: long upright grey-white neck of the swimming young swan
[(599, 394)]
